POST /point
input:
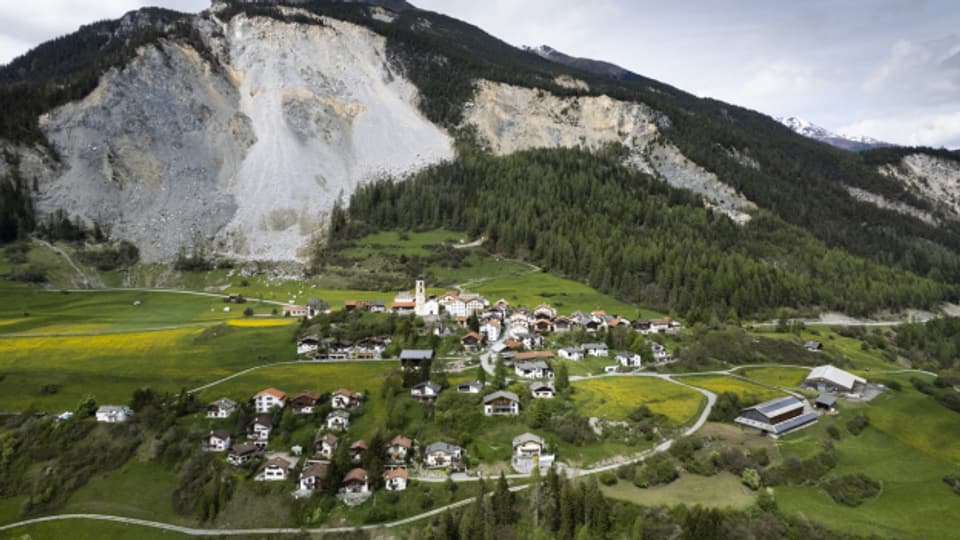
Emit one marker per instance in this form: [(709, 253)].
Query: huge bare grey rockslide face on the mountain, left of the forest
[(245, 157)]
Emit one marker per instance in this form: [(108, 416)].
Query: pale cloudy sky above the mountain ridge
[(884, 68)]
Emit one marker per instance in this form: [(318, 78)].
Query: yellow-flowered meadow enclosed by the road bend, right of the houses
[(613, 398)]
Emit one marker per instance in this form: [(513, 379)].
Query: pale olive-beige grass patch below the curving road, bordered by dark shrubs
[(723, 490)]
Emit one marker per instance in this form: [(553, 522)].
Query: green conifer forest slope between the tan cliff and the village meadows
[(588, 216)]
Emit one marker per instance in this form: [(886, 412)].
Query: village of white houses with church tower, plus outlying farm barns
[(517, 340)]
